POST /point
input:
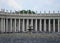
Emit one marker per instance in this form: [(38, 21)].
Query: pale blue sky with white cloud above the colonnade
[(34, 5)]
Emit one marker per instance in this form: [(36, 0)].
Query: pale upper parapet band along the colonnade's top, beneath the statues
[(43, 14)]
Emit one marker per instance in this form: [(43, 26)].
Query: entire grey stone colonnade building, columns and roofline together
[(43, 22)]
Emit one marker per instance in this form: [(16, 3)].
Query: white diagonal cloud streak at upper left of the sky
[(14, 4)]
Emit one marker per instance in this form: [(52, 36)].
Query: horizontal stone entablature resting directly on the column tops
[(30, 16)]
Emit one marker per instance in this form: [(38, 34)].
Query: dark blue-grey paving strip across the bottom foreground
[(28, 40)]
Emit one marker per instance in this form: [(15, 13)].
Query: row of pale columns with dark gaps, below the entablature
[(22, 25)]
